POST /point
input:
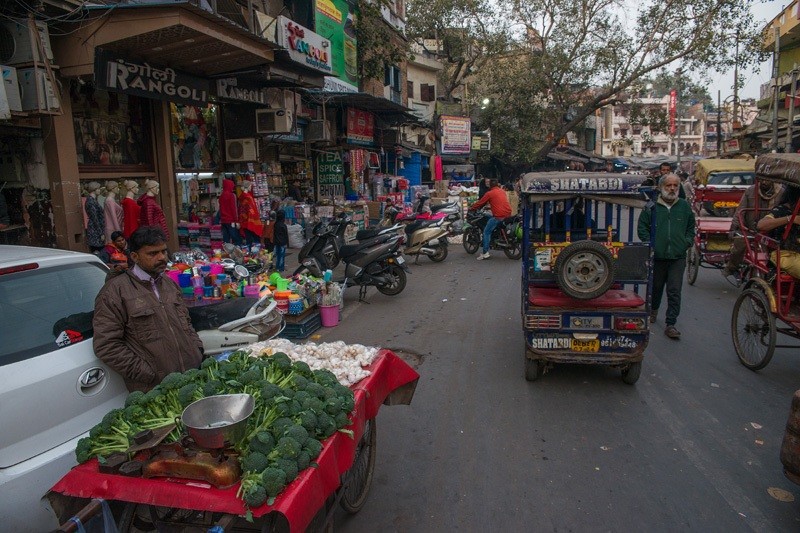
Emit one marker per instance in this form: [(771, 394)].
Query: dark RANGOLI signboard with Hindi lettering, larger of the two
[(115, 73)]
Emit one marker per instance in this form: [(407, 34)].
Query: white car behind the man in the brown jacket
[(53, 388)]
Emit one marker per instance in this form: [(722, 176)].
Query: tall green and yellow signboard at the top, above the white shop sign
[(334, 20)]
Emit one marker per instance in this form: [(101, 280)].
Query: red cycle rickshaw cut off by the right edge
[(770, 301)]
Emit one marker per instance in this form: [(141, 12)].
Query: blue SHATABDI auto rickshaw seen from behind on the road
[(586, 278)]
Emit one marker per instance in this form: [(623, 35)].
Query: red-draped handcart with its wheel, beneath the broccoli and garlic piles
[(342, 475)]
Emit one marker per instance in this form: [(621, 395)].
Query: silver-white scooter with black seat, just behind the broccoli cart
[(235, 323)]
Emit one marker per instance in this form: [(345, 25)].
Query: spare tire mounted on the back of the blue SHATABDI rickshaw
[(584, 270)]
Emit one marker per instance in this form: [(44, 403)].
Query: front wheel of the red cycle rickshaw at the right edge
[(753, 329)]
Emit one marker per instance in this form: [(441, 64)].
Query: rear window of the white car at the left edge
[(45, 309)]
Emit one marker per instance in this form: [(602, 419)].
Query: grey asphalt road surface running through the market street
[(693, 446)]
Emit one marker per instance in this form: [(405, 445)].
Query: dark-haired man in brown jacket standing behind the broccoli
[(142, 328)]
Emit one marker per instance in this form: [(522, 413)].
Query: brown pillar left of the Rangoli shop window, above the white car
[(62, 165)]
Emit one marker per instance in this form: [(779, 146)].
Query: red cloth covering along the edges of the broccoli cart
[(391, 381)]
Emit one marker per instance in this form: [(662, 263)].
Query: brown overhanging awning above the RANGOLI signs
[(178, 35)]
